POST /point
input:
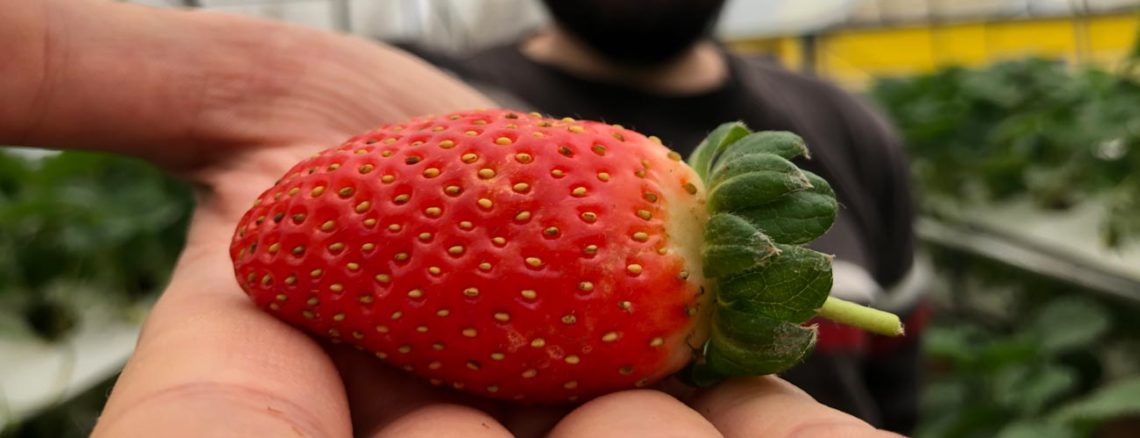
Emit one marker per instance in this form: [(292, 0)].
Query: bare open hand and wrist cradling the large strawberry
[(227, 104)]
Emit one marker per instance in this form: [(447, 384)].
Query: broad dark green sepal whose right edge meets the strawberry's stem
[(791, 288)]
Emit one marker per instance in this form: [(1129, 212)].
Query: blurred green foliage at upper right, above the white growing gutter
[(1037, 128)]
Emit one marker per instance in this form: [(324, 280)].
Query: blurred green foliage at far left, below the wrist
[(109, 226)]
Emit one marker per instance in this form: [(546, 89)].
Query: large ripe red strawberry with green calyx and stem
[(548, 261)]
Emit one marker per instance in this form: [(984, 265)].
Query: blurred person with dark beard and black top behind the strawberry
[(655, 68)]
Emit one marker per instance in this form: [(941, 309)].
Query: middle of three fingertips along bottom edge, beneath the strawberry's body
[(638, 413)]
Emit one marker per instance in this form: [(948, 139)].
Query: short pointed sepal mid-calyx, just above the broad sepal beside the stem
[(734, 246)]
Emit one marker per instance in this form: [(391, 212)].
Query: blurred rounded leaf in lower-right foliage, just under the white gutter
[(1070, 323)]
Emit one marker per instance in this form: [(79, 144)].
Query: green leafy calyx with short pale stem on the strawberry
[(762, 210)]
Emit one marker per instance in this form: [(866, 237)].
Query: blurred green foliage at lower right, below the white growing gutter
[(1045, 375)]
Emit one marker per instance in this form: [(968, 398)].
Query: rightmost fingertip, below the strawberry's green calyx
[(772, 408)]
